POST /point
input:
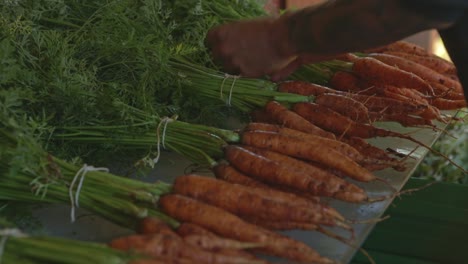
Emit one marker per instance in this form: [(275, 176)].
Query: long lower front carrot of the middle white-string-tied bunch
[(317, 182)]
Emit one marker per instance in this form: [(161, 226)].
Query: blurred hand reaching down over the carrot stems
[(253, 48)]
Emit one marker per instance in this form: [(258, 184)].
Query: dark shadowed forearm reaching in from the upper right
[(352, 25)]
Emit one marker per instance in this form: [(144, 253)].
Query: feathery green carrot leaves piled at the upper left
[(76, 63)]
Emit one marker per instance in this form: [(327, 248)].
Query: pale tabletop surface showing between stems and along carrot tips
[(92, 228)]
